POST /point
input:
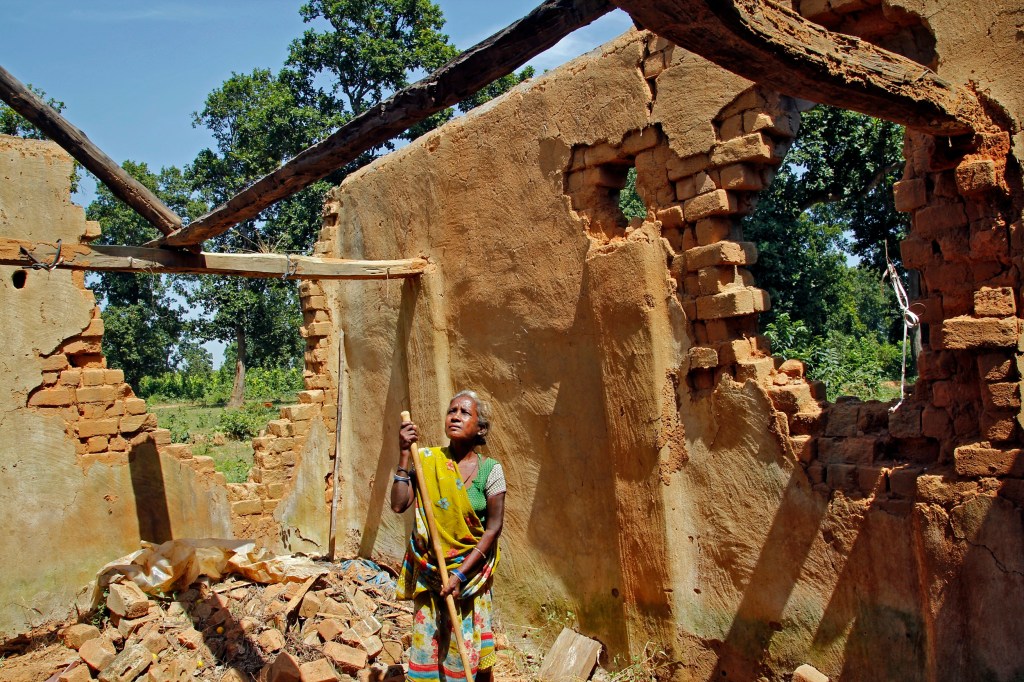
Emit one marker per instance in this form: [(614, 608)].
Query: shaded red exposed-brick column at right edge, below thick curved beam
[(966, 241)]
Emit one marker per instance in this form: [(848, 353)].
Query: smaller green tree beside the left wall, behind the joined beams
[(145, 327)]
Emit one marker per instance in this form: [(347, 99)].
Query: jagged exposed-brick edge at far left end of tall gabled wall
[(277, 451)]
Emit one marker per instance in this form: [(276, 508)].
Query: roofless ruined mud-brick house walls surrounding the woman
[(671, 484)]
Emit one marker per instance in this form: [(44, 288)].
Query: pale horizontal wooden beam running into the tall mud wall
[(160, 262)]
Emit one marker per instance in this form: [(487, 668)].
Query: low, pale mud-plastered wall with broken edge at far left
[(81, 480)]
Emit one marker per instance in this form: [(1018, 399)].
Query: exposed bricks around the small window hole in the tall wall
[(699, 201)]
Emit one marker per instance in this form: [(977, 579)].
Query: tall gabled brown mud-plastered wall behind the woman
[(671, 485)]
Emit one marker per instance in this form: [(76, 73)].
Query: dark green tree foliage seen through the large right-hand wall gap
[(823, 226)]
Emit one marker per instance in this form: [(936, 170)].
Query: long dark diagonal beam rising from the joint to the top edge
[(470, 72)]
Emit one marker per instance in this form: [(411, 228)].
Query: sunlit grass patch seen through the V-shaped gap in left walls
[(202, 428)]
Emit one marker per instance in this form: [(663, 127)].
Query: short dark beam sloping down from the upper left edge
[(124, 187)]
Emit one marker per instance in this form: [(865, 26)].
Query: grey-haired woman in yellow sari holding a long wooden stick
[(467, 492)]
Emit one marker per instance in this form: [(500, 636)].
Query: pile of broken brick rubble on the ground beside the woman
[(340, 624)]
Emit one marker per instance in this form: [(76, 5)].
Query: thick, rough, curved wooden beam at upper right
[(774, 46)]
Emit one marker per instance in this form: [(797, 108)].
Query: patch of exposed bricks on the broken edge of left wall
[(102, 414)]
